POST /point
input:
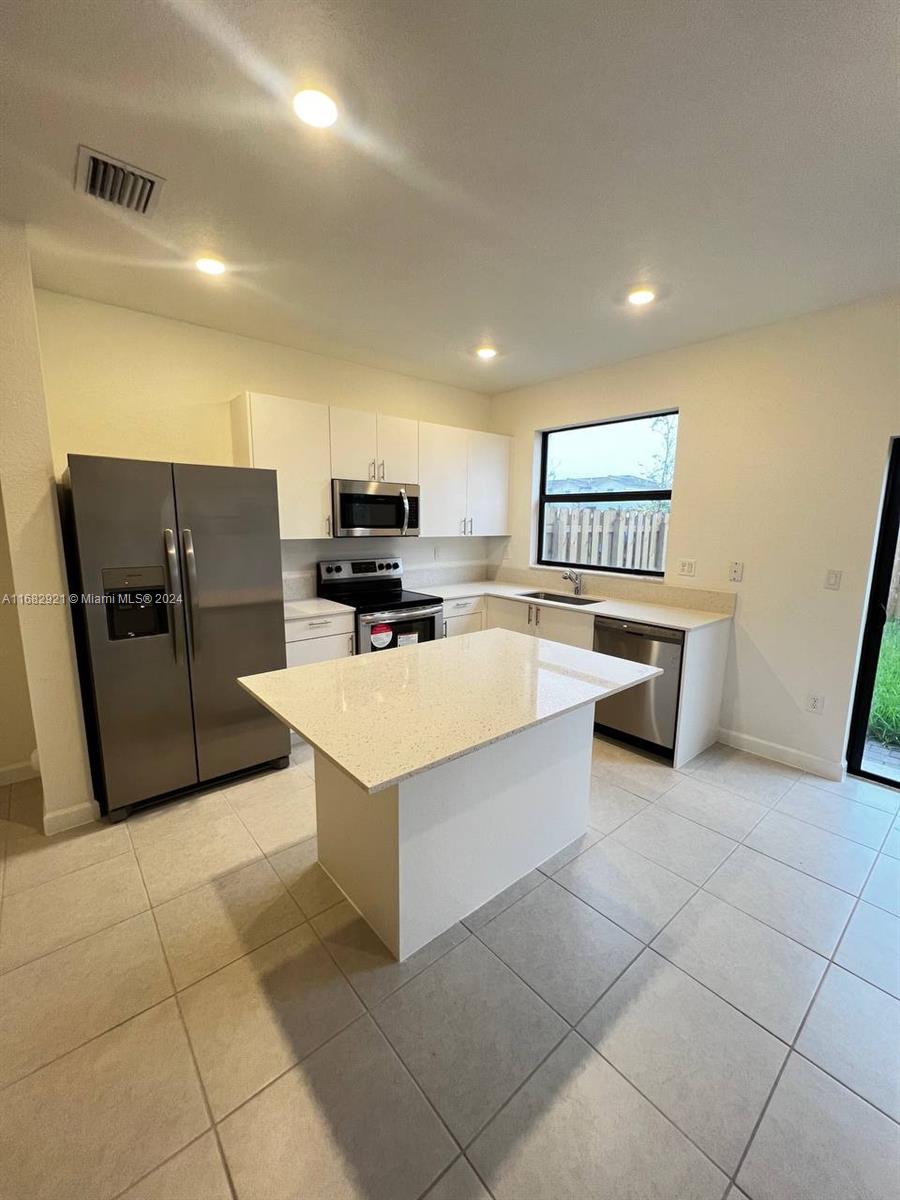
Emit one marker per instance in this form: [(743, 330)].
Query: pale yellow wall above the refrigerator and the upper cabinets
[(141, 387)]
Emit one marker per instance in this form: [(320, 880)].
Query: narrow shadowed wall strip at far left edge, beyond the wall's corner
[(17, 734)]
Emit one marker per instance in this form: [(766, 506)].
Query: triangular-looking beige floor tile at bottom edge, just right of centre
[(578, 1130)]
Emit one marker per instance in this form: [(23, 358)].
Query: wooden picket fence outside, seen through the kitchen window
[(598, 537)]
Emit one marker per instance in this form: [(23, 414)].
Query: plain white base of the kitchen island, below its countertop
[(417, 857)]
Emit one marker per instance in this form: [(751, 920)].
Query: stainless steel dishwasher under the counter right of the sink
[(650, 711)]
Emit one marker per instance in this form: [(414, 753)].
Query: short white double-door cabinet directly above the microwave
[(369, 447)]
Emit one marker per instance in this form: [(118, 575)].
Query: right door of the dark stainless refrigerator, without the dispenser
[(229, 532)]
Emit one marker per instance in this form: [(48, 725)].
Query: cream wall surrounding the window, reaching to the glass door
[(783, 448)]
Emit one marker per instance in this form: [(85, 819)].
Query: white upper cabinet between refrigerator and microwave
[(291, 437)]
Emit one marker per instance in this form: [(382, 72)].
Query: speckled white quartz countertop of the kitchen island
[(383, 718)]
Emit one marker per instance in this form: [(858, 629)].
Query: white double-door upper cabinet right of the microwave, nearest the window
[(465, 482)]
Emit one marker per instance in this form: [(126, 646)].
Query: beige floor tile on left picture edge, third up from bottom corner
[(57, 914)]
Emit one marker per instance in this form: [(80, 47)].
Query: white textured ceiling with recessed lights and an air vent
[(502, 170)]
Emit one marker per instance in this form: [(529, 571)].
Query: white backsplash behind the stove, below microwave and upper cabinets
[(427, 561)]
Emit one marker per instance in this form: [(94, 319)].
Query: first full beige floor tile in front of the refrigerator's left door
[(184, 862)]
